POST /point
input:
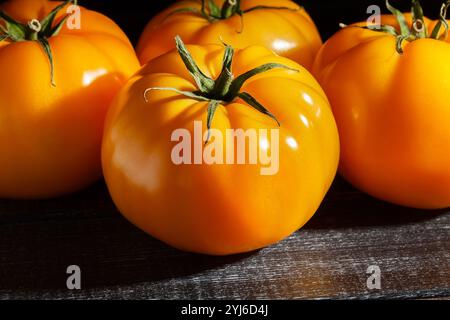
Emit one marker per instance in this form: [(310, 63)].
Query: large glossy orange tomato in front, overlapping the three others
[(219, 208)]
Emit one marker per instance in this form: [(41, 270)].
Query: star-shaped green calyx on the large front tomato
[(223, 90)]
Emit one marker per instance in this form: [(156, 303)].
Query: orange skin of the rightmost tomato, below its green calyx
[(392, 113)]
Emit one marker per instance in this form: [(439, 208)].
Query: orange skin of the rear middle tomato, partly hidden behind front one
[(291, 34)]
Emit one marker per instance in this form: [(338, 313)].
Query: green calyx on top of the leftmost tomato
[(35, 30)]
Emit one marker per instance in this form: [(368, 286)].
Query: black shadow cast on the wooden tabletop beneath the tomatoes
[(40, 239)]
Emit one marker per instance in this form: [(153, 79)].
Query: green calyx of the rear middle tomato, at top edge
[(212, 12)]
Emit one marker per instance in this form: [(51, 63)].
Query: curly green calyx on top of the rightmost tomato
[(418, 30)]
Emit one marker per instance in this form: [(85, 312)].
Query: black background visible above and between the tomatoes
[(132, 15)]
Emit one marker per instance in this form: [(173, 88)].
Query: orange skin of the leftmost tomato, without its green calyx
[(50, 137)]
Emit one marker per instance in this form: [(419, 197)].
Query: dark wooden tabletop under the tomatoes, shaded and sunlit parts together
[(328, 258)]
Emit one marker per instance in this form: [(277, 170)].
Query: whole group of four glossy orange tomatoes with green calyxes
[(80, 102)]
